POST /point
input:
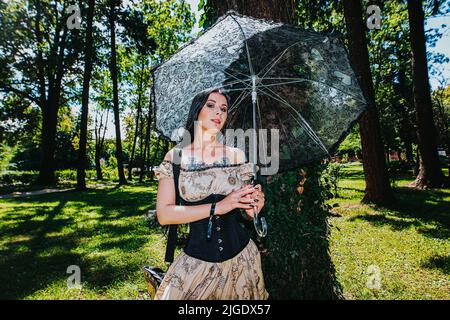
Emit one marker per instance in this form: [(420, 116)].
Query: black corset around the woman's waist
[(228, 237)]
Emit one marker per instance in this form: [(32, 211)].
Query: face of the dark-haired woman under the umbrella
[(214, 113)]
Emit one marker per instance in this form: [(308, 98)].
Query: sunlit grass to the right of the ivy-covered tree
[(405, 247)]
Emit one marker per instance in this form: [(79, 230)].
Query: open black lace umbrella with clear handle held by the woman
[(298, 82)]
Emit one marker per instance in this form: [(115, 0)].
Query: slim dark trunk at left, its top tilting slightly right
[(82, 154)]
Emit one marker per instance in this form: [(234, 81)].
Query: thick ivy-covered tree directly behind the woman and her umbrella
[(284, 252)]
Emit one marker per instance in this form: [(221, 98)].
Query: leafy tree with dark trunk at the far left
[(38, 56)]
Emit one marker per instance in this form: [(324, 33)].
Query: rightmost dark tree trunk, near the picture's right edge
[(430, 172)]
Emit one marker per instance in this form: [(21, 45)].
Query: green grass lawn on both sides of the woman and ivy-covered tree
[(105, 232)]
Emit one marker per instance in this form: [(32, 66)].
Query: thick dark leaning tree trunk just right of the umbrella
[(378, 189)]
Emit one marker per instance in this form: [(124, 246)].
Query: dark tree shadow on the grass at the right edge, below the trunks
[(424, 209)]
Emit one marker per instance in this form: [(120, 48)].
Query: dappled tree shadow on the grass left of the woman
[(43, 235)]
